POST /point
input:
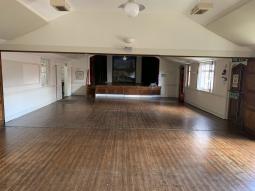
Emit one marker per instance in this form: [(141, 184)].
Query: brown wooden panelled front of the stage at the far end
[(127, 90)]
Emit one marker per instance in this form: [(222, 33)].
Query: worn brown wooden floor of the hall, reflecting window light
[(124, 145)]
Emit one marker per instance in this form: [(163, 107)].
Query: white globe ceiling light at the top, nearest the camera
[(132, 8)]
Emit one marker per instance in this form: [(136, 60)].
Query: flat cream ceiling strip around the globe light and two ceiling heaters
[(43, 8)]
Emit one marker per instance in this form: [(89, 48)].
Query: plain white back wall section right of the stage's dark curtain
[(168, 78)]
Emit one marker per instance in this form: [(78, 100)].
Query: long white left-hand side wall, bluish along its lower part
[(23, 92)]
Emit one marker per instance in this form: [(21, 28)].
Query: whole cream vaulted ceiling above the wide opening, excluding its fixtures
[(165, 28)]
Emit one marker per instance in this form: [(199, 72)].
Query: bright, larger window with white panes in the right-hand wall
[(205, 76)]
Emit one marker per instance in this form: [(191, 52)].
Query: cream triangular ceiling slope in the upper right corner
[(237, 26)]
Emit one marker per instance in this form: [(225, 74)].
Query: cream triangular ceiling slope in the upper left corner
[(17, 20)]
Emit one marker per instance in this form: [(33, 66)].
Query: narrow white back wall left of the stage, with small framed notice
[(78, 87)]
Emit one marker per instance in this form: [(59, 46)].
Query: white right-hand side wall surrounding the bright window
[(215, 102)]
